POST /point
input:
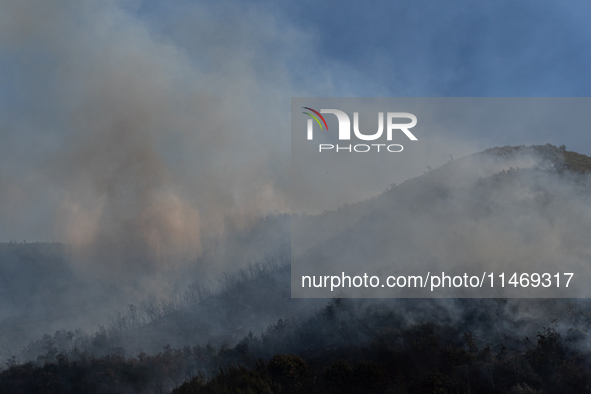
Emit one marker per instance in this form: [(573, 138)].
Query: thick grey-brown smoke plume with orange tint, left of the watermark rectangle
[(130, 145)]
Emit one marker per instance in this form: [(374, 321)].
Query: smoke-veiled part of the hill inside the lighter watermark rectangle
[(505, 209)]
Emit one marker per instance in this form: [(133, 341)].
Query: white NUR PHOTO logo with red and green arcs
[(392, 125)]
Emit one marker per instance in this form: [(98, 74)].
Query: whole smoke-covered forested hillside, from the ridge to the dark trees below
[(245, 334)]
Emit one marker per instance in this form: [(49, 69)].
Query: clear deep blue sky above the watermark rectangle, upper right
[(441, 48)]
